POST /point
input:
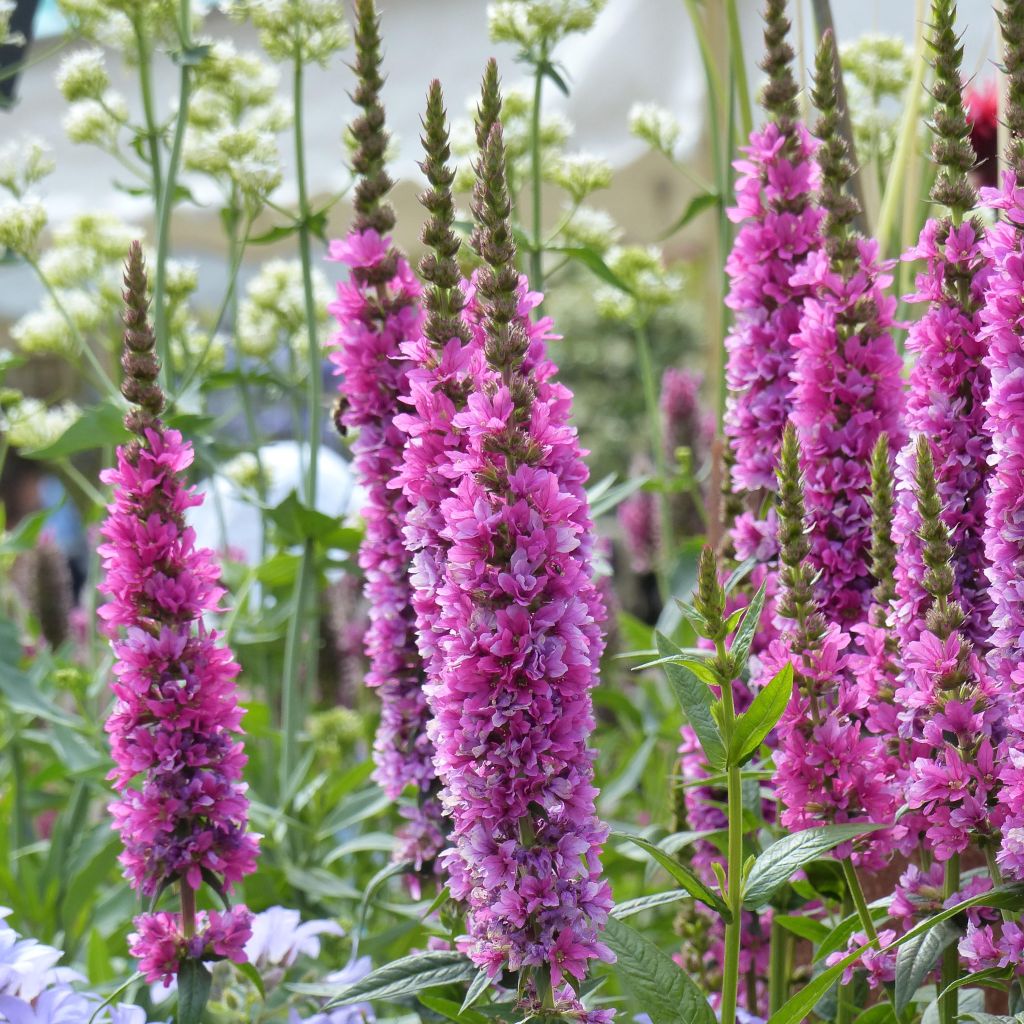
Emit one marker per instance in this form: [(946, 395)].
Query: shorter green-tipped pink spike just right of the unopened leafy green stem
[(828, 770)]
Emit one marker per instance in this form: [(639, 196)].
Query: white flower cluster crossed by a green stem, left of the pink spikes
[(273, 315)]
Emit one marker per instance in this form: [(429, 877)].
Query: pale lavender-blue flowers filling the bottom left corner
[(34, 989)]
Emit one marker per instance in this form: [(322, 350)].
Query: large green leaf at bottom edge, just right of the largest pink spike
[(656, 983)]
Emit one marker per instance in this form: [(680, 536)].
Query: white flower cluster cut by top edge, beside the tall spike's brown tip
[(310, 31)]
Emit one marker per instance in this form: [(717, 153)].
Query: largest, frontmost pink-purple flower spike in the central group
[(513, 707)]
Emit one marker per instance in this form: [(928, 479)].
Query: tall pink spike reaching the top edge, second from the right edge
[(950, 381)]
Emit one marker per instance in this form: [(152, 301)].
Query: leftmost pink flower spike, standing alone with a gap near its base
[(177, 720)]
